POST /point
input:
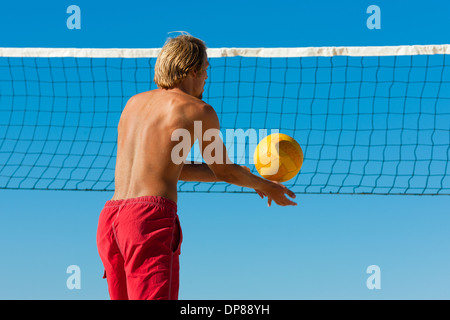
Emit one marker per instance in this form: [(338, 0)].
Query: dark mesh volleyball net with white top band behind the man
[(370, 120)]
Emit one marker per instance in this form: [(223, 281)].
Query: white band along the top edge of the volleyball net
[(231, 52)]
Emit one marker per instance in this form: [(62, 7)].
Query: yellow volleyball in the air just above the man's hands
[(278, 157)]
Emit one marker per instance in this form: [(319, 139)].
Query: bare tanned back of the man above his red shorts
[(144, 166)]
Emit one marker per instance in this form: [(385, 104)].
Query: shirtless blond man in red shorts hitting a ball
[(139, 235)]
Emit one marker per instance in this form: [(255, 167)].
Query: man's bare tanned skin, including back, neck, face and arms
[(144, 166)]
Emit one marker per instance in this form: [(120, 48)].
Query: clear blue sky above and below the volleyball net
[(234, 246)]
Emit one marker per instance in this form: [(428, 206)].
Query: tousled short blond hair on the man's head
[(178, 57)]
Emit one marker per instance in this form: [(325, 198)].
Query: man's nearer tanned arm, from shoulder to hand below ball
[(232, 173)]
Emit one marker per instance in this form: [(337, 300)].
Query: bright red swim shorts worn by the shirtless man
[(139, 244)]
